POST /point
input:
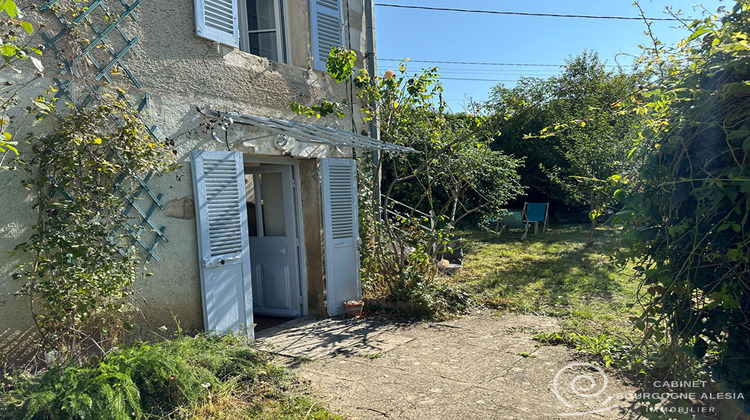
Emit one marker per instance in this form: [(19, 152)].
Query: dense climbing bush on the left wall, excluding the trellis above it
[(79, 269)]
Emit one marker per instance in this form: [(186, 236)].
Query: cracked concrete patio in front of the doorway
[(480, 366)]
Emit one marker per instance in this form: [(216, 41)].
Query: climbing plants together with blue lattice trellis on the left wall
[(88, 173)]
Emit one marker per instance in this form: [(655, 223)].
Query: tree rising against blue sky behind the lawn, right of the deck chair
[(586, 132)]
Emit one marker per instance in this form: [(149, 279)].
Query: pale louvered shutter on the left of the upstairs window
[(217, 20)]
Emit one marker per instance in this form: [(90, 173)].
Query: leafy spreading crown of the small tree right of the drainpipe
[(458, 182)]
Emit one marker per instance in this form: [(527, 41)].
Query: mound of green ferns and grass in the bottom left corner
[(183, 378)]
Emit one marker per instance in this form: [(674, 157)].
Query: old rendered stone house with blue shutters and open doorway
[(262, 216)]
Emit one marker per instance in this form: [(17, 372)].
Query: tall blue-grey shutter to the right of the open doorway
[(341, 232)]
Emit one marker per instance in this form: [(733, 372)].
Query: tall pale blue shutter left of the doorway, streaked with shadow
[(223, 246)]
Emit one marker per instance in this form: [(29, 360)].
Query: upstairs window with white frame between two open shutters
[(263, 28)]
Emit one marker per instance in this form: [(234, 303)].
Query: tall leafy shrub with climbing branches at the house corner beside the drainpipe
[(454, 174)]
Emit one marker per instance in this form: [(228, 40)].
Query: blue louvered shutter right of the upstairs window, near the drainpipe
[(327, 30)]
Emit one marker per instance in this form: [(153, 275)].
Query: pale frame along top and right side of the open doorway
[(297, 198)]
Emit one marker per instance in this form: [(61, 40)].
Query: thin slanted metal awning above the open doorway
[(309, 133)]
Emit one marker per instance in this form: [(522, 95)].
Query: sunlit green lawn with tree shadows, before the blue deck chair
[(552, 273)]
